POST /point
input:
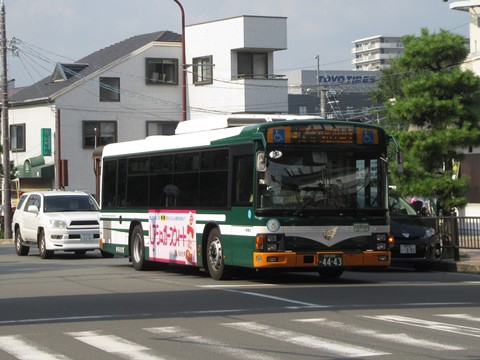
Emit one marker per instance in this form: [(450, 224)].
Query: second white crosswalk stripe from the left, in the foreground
[(114, 345)]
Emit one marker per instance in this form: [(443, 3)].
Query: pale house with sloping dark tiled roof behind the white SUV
[(124, 91)]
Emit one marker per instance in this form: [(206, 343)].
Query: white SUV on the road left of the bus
[(56, 220)]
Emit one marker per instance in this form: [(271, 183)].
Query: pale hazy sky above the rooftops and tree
[(51, 31)]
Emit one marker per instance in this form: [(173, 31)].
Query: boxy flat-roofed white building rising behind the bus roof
[(232, 66)]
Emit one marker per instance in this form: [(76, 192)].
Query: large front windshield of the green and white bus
[(302, 182)]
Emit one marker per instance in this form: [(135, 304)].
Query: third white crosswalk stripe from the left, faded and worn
[(225, 349)]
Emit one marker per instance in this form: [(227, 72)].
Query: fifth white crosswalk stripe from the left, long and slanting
[(398, 338)]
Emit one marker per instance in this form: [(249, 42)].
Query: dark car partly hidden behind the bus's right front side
[(416, 242)]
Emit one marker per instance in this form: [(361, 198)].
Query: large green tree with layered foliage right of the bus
[(432, 107)]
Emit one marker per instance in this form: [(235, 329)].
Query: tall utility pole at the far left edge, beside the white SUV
[(7, 195)]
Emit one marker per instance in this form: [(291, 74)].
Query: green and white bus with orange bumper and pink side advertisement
[(252, 192)]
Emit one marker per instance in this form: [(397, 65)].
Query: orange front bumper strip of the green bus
[(295, 260)]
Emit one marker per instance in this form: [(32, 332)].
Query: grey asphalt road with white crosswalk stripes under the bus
[(88, 307)]
